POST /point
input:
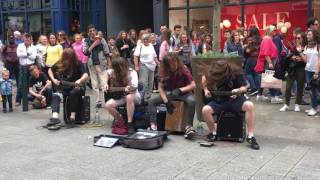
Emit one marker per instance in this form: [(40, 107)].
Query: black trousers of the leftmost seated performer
[(74, 97)]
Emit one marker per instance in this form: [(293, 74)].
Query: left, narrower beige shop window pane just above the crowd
[(177, 17)]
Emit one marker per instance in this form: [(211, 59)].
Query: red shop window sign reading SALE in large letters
[(262, 15)]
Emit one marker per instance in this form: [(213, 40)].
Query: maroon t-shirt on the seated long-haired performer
[(178, 80)]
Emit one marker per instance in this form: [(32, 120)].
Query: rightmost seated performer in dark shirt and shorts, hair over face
[(224, 76)]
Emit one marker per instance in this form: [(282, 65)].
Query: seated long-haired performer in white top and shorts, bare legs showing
[(122, 76)]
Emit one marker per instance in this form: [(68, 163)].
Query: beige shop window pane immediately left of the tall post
[(201, 19)]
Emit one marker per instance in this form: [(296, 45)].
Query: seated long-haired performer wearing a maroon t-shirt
[(176, 83)]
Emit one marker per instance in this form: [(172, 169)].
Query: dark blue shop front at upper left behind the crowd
[(45, 16)]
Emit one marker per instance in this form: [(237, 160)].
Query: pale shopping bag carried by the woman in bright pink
[(269, 81)]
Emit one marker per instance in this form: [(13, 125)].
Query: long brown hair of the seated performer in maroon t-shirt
[(165, 69)]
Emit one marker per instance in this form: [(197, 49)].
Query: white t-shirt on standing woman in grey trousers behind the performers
[(147, 55)]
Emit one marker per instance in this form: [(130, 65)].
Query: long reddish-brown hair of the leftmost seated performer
[(68, 62)]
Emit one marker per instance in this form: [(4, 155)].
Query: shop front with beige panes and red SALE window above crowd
[(193, 14)]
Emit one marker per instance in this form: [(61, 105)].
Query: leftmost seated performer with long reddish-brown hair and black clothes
[(68, 77)]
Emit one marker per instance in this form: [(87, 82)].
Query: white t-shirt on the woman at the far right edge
[(312, 58)]
